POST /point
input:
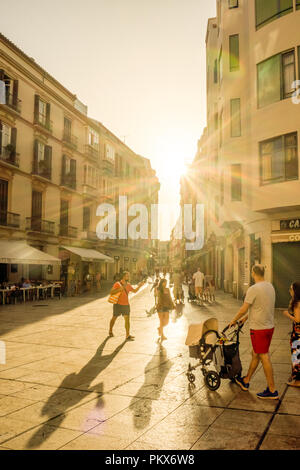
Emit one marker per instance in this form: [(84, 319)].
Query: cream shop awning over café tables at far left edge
[(19, 252)]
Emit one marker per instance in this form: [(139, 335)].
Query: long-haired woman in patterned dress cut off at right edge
[(293, 313)]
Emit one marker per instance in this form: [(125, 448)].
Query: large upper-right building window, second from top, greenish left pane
[(275, 77)]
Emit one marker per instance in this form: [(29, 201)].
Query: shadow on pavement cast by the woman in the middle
[(155, 375)]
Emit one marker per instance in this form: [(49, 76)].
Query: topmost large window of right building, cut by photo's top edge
[(269, 10)]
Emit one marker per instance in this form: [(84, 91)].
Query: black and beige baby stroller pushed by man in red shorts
[(212, 348)]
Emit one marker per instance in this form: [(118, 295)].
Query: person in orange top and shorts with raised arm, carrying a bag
[(122, 307)]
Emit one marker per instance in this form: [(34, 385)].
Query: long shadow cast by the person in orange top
[(57, 402)]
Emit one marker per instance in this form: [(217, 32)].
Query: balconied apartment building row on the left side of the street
[(57, 166)]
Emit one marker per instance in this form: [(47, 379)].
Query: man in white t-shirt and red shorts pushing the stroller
[(260, 303)]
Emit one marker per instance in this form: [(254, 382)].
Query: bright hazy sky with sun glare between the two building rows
[(139, 66)]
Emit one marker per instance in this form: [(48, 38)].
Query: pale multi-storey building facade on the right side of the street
[(250, 149)]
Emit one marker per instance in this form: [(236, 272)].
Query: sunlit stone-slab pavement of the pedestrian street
[(67, 385)]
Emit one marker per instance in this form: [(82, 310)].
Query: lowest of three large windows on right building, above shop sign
[(279, 159)]
